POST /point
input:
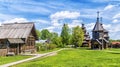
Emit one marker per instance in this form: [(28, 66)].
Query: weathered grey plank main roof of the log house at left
[(17, 30)]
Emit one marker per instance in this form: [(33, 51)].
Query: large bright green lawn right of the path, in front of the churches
[(78, 58)]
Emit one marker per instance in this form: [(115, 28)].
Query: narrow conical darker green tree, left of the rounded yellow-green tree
[(65, 34)]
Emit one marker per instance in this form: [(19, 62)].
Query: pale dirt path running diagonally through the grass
[(36, 56)]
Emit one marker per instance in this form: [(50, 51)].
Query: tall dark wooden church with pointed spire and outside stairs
[(100, 38)]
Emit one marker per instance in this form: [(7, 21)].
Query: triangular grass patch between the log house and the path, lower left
[(4, 60)]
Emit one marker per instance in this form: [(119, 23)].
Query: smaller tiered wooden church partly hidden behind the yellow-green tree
[(86, 41)]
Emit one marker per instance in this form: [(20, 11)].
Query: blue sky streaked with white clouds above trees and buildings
[(52, 14)]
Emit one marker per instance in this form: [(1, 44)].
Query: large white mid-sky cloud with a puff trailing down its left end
[(62, 15)]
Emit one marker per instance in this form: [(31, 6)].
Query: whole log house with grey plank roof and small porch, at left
[(17, 38)]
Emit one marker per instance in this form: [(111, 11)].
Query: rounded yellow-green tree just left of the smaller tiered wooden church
[(77, 36)]
